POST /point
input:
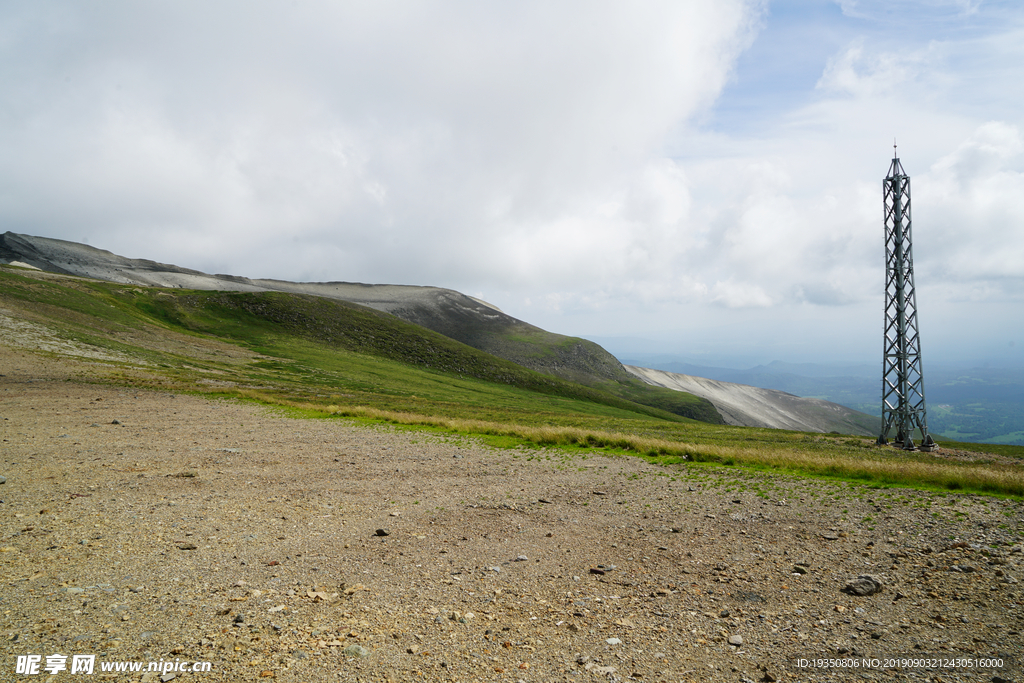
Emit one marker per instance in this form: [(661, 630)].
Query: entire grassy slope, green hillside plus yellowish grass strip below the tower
[(358, 363)]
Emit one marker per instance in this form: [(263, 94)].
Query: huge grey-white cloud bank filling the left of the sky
[(415, 141)]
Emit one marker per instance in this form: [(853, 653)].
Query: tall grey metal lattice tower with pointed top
[(903, 379)]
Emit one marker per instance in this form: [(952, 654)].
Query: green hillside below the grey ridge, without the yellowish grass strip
[(319, 347)]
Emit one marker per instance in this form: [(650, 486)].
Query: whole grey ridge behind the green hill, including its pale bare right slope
[(477, 324)]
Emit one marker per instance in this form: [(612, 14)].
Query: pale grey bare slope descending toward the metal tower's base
[(753, 407)]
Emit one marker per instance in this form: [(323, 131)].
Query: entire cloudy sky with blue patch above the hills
[(697, 178)]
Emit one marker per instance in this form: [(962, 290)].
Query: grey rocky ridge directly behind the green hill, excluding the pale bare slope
[(446, 312)]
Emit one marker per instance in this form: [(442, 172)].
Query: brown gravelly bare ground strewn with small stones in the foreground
[(146, 527)]
